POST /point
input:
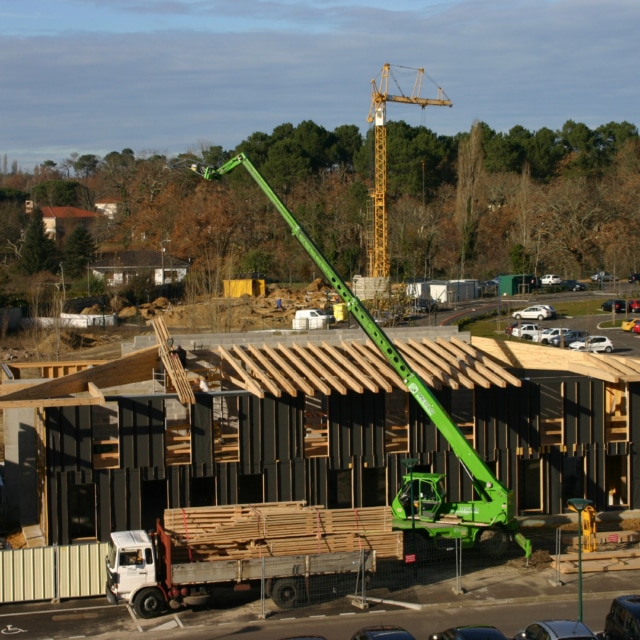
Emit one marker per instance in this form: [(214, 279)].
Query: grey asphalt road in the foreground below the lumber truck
[(93, 620)]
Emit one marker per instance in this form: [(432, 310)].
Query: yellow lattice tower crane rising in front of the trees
[(379, 263)]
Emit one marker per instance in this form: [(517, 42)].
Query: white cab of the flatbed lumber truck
[(131, 565)]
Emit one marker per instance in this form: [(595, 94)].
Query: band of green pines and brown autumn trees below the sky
[(475, 204)]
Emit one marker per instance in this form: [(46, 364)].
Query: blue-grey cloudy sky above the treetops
[(170, 76)]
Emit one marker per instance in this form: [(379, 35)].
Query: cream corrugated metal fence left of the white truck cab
[(51, 573)]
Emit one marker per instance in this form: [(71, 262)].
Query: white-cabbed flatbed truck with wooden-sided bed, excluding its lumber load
[(142, 572)]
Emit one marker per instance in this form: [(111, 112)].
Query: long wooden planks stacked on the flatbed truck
[(278, 529)]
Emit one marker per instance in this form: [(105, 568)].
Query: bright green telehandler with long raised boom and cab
[(421, 502)]
